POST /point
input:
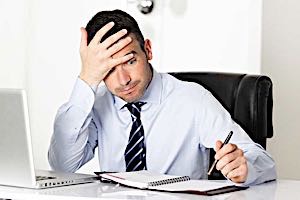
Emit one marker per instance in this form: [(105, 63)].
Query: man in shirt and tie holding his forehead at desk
[(142, 119)]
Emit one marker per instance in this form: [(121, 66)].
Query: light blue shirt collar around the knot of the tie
[(151, 95)]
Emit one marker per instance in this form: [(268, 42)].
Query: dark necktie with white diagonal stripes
[(135, 152)]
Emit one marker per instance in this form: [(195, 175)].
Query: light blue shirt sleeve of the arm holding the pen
[(216, 123)]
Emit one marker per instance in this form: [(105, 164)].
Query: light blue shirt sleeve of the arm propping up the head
[(75, 134)]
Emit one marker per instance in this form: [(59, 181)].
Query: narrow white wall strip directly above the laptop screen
[(12, 44)]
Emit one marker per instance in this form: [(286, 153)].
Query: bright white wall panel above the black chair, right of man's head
[(203, 35)]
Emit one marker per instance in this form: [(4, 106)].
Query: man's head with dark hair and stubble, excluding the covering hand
[(128, 80)]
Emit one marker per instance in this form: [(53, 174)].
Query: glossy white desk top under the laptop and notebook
[(281, 189)]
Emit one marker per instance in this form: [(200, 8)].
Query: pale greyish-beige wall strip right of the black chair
[(281, 61)]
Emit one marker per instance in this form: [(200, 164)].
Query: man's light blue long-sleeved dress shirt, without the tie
[(181, 120)]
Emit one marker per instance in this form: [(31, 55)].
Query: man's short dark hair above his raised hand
[(121, 19)]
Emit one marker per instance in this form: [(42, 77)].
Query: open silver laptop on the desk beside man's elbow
[(16, 158)]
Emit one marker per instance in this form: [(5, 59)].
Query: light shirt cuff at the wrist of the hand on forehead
[(83, 96)]
